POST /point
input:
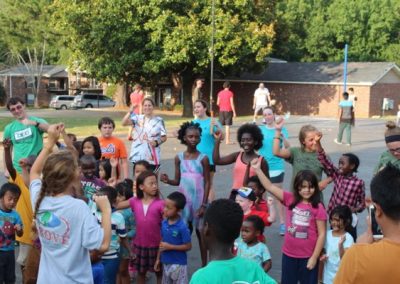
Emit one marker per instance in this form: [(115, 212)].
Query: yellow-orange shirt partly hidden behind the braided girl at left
[(24, 209)]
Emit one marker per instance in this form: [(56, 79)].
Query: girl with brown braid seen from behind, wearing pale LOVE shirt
[(57, 213)]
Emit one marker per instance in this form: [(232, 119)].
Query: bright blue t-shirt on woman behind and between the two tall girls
[(206, 145)]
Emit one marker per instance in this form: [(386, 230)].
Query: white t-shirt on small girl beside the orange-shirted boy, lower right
[(332, 251)]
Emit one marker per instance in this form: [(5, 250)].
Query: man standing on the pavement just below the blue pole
[(346, 119)]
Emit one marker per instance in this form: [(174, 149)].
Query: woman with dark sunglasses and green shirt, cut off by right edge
[(392, 154)]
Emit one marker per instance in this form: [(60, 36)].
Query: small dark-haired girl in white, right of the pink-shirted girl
[(338, 240)]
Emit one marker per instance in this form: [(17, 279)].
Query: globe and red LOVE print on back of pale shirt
[(53, 229)]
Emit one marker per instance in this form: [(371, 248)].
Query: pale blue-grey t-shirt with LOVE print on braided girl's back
[(67, 231)]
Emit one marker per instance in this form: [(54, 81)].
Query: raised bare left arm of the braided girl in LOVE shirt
[(54, 132)]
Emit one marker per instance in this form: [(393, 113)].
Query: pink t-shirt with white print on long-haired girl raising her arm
[(301, 227)]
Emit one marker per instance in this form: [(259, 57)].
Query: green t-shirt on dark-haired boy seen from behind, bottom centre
[(235, 270)]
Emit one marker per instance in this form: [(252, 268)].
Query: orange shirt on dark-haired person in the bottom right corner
[(370, 264)]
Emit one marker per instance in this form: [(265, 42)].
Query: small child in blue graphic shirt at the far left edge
[(10, 225)]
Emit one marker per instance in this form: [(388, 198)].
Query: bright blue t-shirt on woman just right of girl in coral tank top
[(274, 163)]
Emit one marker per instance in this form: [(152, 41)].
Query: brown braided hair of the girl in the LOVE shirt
[(59, 171)]
